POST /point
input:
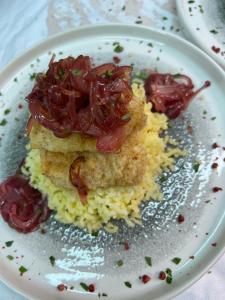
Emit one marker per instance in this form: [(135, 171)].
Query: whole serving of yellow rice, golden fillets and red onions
[(96, 145)]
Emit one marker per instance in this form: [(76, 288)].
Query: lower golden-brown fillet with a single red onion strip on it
[(97, 169)]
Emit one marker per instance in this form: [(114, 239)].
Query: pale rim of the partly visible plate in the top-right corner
[(184, 20)]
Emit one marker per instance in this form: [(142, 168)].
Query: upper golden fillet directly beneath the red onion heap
[(43, 138)]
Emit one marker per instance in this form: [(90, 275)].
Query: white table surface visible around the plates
[(24, 23)]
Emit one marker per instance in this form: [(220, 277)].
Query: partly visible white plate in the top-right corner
[(204, 24)]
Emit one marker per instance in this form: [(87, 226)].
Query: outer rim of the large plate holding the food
[(44, 43)]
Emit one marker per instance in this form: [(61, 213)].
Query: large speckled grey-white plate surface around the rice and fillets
[(81, 257)]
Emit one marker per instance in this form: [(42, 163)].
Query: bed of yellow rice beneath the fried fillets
[(106, 204)]
